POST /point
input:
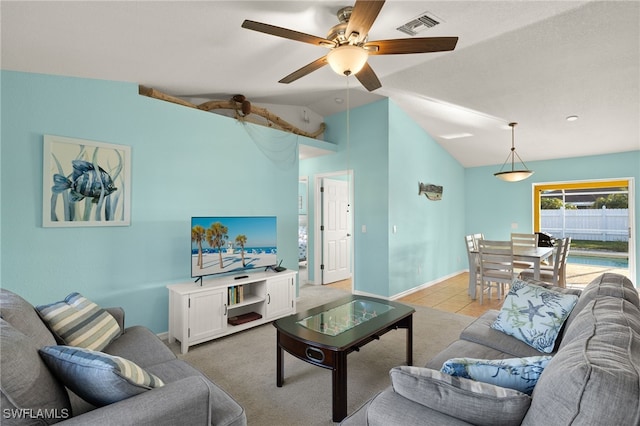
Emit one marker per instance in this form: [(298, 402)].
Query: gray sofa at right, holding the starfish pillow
[(593, 377)]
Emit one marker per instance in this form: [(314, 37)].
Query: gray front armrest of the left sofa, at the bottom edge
[(186, 401)]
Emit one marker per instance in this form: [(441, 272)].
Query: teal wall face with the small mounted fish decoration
[(428, 242)]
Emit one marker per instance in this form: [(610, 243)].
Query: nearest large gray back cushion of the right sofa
[(594, 378)]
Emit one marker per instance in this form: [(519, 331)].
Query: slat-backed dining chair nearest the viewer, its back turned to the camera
[(496, 266)]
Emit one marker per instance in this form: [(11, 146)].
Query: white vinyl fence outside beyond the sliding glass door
[(587, 224)]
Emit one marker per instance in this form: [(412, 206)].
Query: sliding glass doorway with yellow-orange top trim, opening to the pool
[(599, 217)]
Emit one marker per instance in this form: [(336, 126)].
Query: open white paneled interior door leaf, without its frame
[(336, 231)]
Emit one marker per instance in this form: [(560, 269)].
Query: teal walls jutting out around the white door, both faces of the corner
[(390, 154)]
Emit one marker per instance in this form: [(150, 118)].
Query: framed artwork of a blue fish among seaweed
[(85, 183)]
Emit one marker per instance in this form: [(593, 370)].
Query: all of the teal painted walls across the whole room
[(187, 162)]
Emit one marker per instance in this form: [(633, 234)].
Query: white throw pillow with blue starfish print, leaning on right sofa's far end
[(534, 314)]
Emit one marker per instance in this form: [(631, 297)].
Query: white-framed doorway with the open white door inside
[(333, 225)]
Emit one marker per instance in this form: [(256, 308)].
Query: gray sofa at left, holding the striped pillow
[(32, 395)]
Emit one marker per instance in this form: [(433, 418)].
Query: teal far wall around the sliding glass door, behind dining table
[(493, 205)]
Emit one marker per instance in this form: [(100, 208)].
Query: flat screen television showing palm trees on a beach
[(232, 244)]
